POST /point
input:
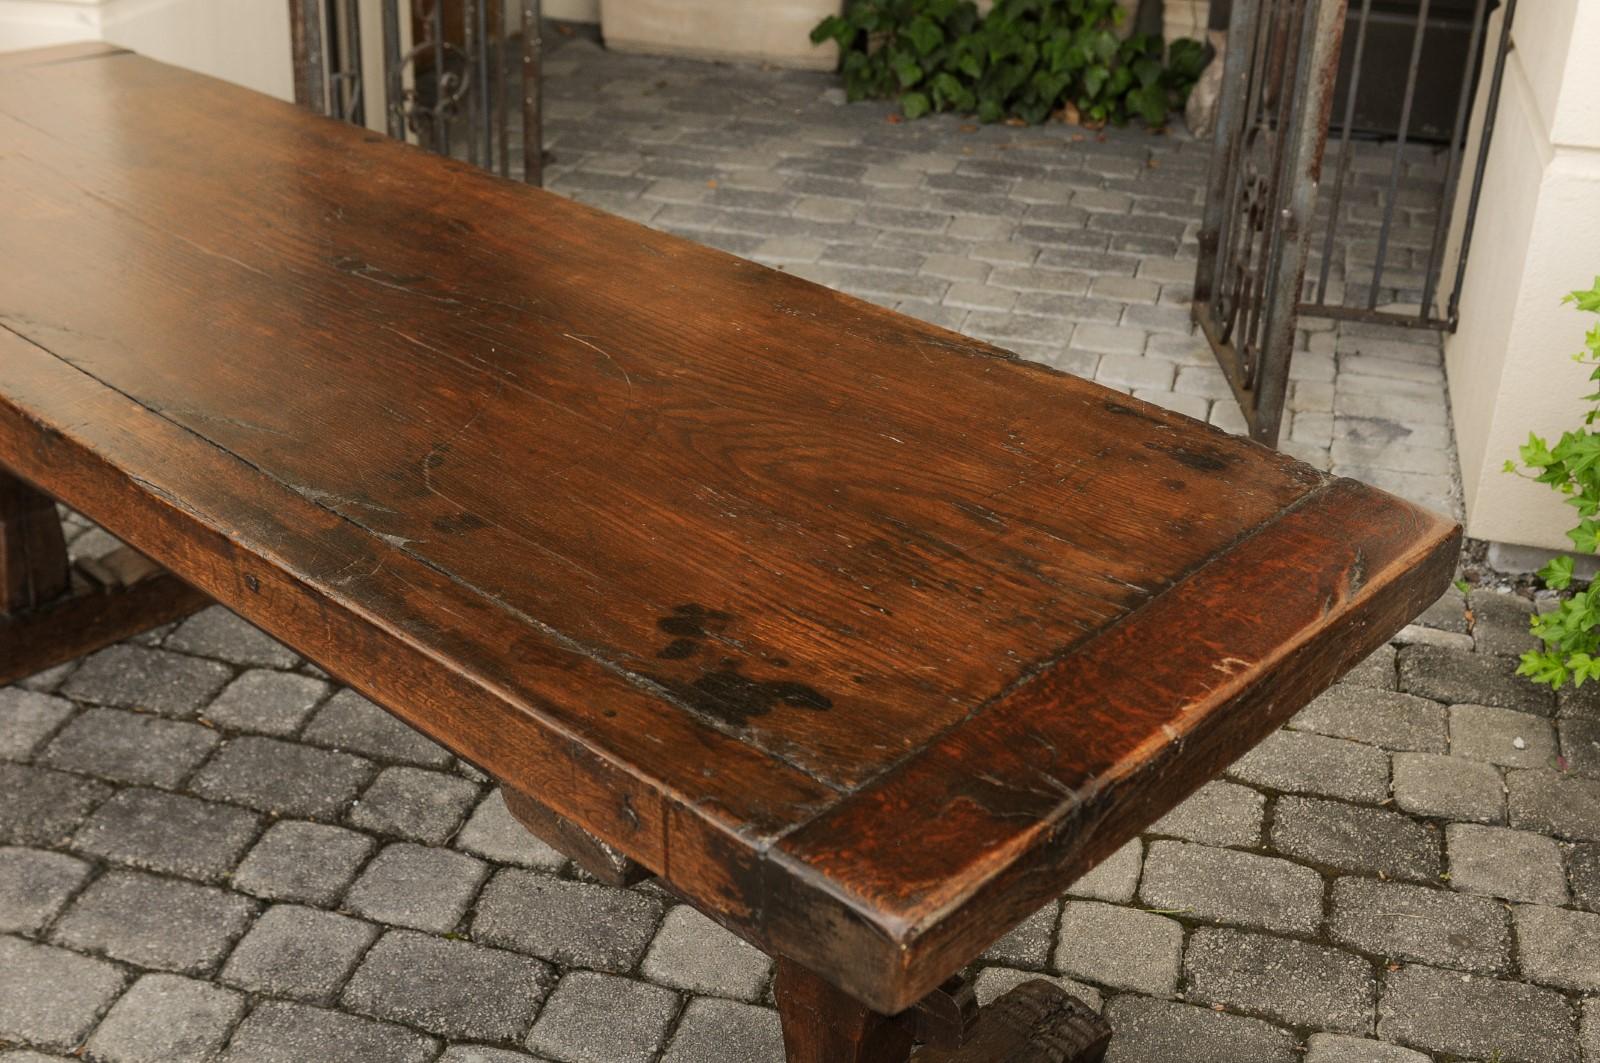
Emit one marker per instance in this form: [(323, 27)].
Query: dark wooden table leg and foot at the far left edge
[(50, 611)]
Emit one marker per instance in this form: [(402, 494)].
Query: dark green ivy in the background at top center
[(1025, 60)]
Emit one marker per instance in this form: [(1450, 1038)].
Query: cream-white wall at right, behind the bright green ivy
[(1538, 236)]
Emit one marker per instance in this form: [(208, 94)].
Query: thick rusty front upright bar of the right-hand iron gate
[(1308, 138)]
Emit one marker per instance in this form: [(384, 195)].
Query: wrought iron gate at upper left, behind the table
[(460, 78)]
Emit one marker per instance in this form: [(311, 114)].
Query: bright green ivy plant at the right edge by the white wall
[(1572, 467)]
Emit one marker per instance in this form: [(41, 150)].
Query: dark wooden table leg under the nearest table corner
[(826, 1025)]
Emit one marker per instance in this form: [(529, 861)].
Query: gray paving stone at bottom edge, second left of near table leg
[(602, 1019)]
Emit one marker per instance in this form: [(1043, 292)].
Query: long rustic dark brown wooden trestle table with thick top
[(862, 635)]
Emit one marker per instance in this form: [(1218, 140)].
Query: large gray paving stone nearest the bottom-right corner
[(1444, 1011)]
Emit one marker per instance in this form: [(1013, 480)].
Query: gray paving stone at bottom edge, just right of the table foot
[(1159, 1032)]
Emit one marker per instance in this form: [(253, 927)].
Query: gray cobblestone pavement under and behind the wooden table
[(210, 851)]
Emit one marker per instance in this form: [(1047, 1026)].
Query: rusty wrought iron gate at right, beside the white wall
[(1262, 219)]
